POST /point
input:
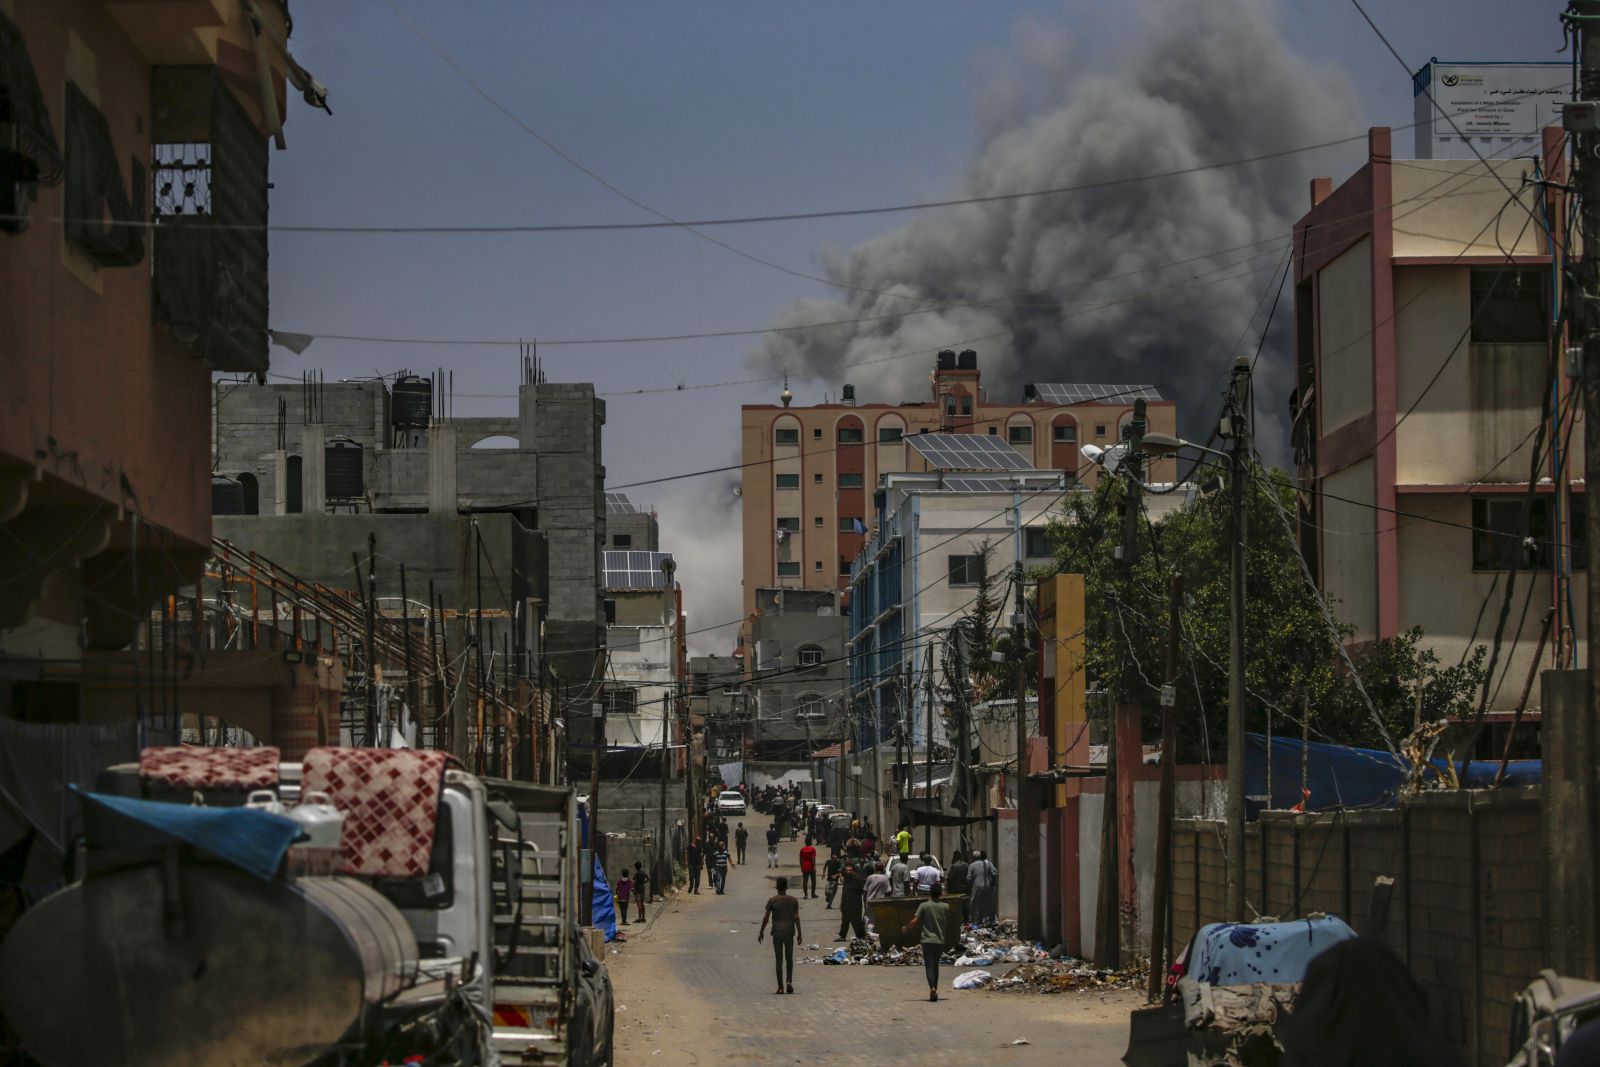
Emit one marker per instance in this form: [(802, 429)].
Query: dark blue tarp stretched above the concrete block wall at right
[(1343, 777)]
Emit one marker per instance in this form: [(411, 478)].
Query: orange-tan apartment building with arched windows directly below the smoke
[(809, 474)]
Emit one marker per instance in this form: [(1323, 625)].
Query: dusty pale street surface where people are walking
[(698, 989)]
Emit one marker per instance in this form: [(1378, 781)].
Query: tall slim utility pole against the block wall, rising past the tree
[(1236, 426)]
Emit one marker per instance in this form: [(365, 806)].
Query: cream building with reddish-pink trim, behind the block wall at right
[(1425, 303)]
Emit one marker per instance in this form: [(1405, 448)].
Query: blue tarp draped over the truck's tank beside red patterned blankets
[(250, 839)]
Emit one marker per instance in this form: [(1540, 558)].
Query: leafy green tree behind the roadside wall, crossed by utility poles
[(1292, 653)]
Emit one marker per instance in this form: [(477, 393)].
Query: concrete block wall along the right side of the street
[(1466, 913)]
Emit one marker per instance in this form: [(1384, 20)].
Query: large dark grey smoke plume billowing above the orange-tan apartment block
[(1204, 82)]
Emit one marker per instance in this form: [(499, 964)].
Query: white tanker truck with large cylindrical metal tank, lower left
[(183, 959)]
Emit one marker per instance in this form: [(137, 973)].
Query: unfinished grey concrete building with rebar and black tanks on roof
[(497, 521)]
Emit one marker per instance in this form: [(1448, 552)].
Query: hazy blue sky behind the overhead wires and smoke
[(698, 110)]
